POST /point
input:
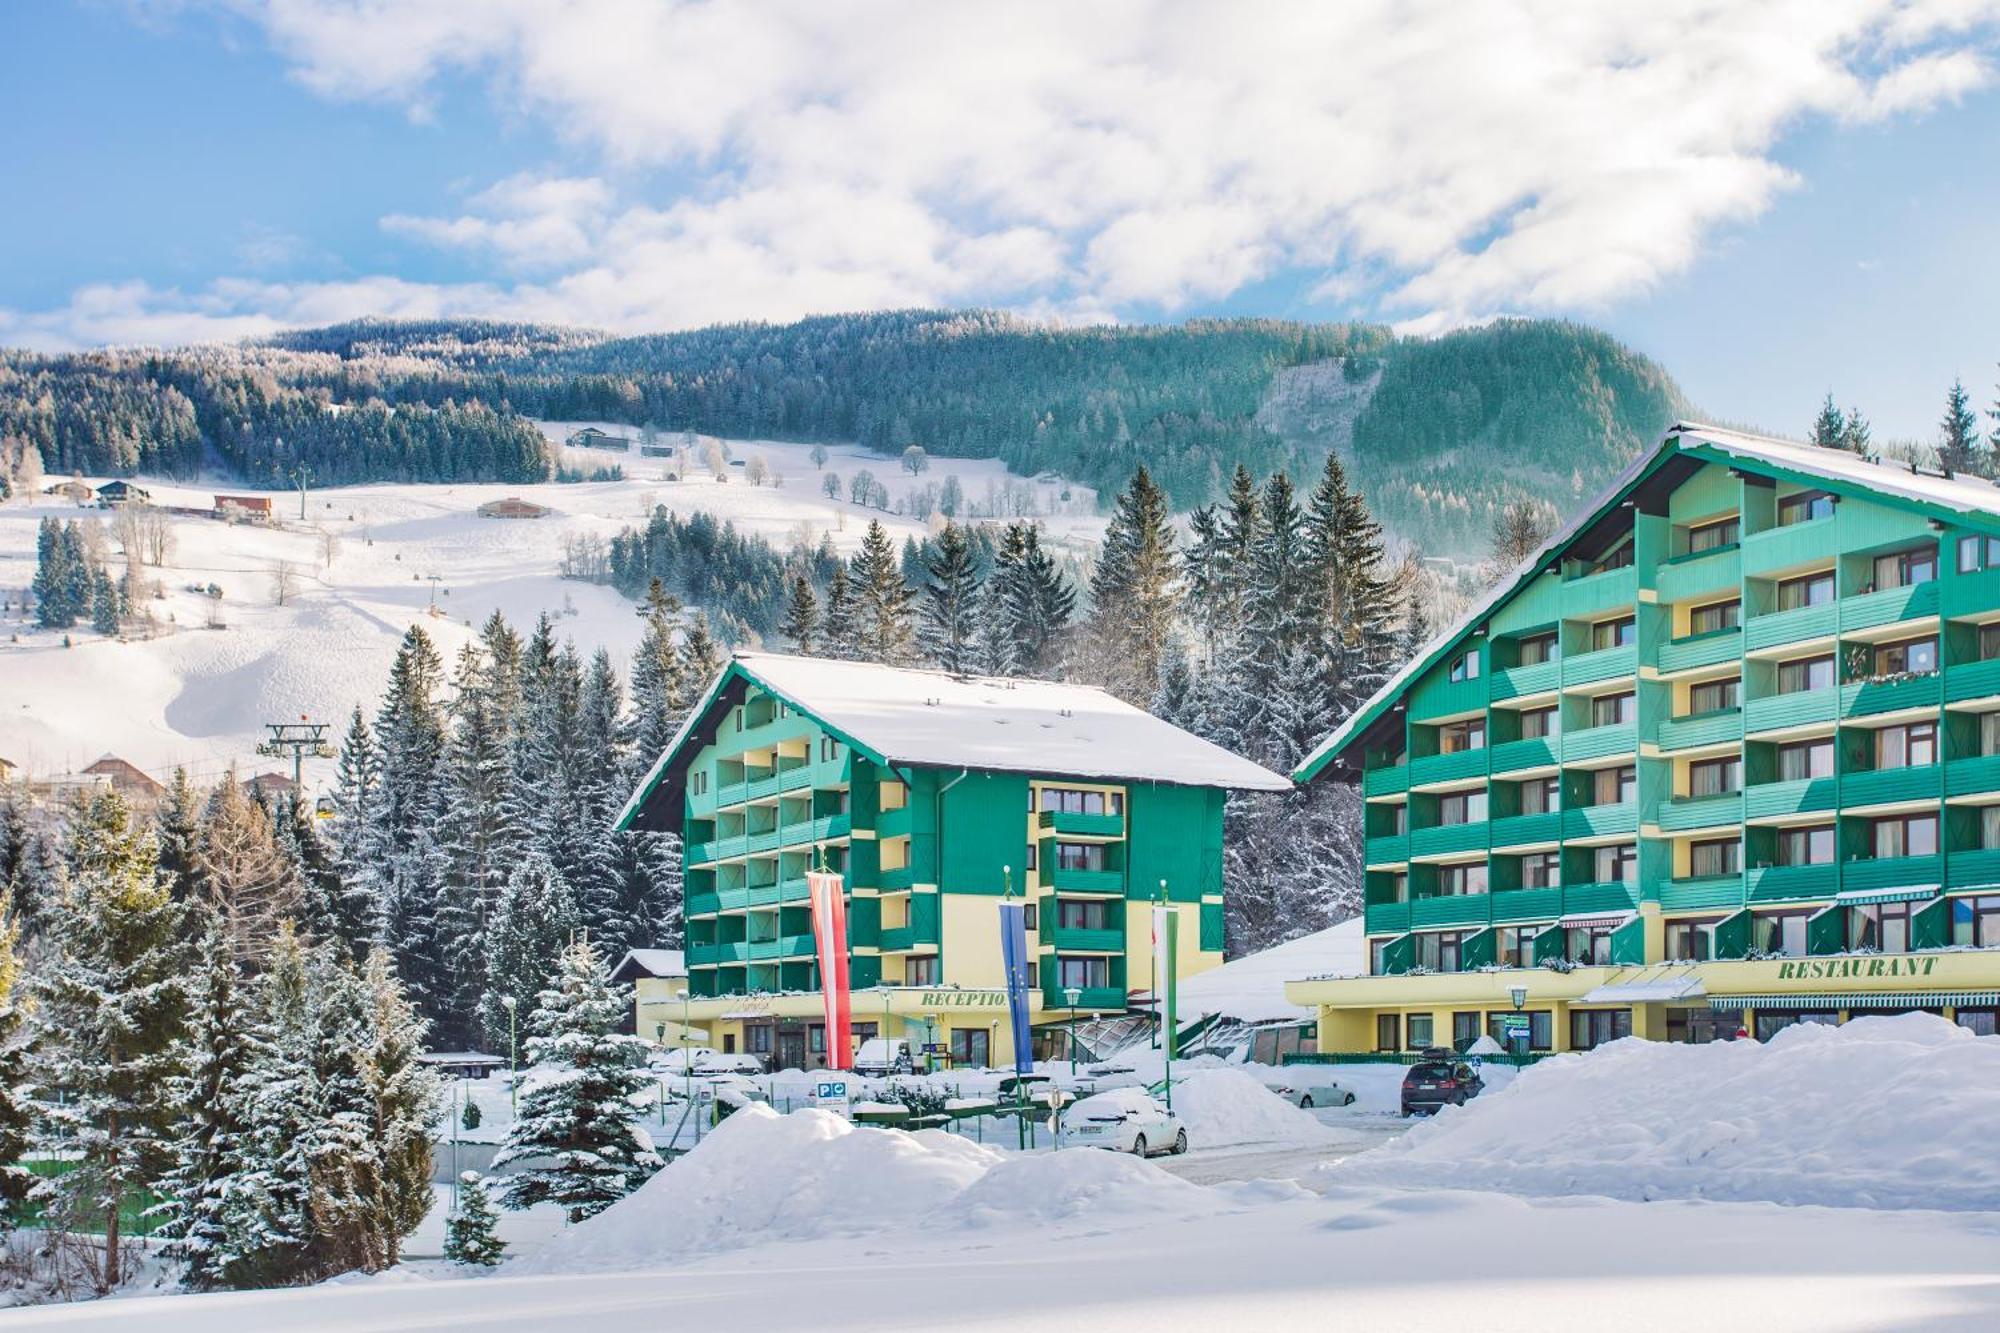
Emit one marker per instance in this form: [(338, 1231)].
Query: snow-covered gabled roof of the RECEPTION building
[(935, 720)]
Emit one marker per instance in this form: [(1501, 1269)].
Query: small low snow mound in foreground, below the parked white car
[(1049, 1188)]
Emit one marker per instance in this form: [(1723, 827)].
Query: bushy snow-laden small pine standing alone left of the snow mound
[(579, 1114)]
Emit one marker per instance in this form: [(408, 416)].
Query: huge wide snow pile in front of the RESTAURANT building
[(1891, 1114)]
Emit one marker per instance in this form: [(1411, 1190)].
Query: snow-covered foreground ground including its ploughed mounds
[(805, 1220)]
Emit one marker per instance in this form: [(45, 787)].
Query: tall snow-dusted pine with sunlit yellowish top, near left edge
[(109, 1018)]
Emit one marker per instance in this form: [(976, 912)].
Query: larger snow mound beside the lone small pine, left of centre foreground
[(769, 1178)]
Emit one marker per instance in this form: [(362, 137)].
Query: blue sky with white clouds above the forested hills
[(1795, 207)]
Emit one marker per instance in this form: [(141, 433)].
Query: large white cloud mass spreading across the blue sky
[(1441, 161)]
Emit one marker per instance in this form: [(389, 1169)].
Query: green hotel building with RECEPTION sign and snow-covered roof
[(933, 796)]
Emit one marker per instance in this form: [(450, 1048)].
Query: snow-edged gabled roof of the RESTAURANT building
[(1963, 499)]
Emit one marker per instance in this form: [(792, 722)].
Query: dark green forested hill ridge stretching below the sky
[(1441, 431)]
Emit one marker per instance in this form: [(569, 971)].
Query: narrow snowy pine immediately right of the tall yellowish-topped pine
[(211, 1132)]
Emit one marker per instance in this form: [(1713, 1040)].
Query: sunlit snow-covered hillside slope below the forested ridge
[(201, 698)]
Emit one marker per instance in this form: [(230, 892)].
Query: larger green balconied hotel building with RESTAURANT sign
[(1723, 756)]
